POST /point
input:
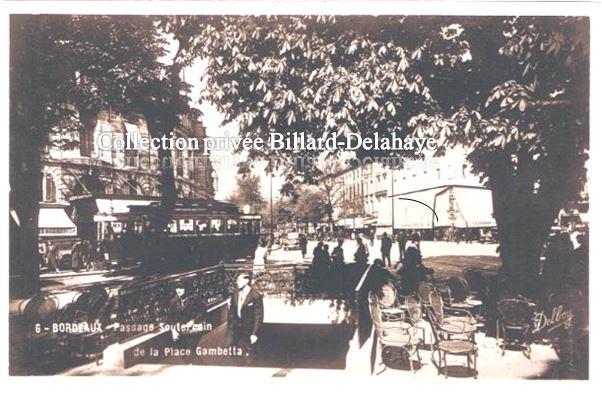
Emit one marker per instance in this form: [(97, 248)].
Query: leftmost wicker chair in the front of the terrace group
[(390, 336)]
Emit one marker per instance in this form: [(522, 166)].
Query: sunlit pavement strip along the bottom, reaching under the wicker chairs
[(543, 364)]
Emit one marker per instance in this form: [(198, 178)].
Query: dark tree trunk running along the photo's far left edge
[(28, 136)]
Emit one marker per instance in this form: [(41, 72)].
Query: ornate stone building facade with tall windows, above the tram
[(80, 165)]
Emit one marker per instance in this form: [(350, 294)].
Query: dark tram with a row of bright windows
[(201, 233)]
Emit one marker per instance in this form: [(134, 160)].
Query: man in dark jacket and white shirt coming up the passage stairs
[(245, 315)]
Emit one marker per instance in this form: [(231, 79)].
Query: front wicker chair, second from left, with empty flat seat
[(457, 347)]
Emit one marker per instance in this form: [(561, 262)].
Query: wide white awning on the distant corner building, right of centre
[(463, 206)]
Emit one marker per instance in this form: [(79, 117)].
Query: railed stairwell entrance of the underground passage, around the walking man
[(308, 322)]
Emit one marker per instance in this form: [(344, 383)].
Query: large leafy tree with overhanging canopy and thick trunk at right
[(513, 91)]
